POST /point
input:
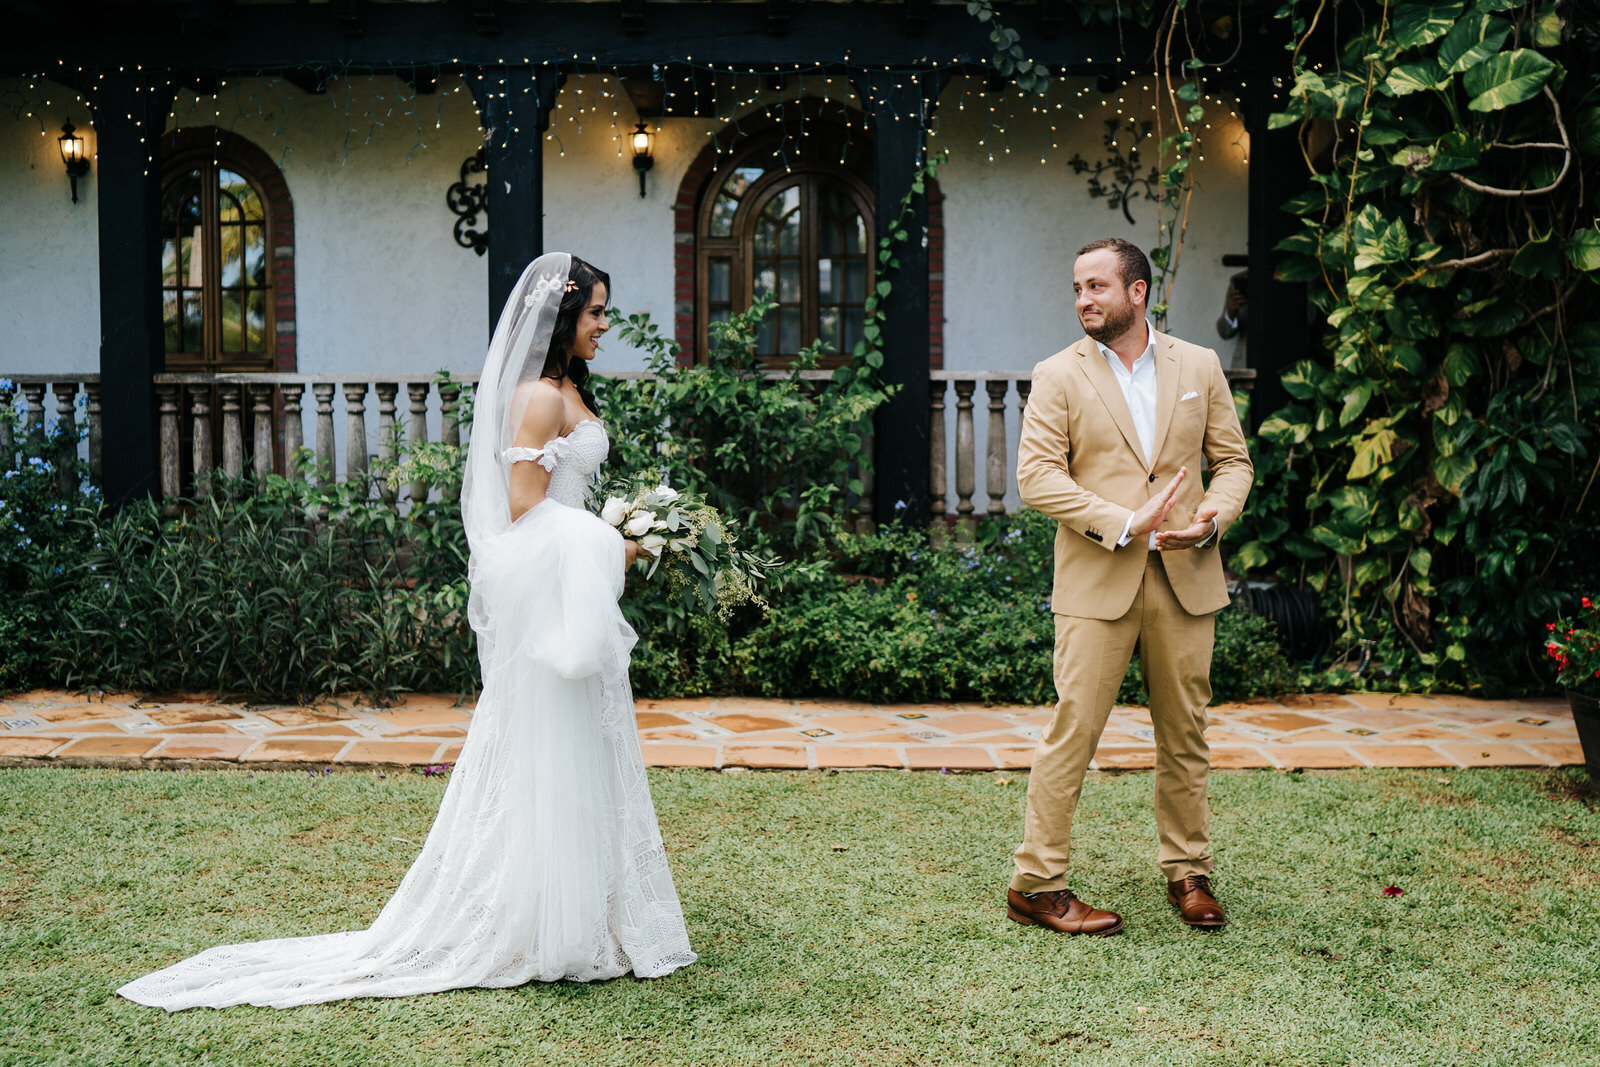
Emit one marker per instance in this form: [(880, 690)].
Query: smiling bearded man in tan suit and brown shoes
[(1118, 433)]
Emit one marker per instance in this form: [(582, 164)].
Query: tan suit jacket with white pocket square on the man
[(1081, 463)]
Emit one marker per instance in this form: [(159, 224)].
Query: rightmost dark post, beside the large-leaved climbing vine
[(1278, 334)]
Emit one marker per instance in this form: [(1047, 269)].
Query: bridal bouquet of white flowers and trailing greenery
[(690, 546)]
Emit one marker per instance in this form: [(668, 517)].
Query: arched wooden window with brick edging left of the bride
[(225, 212)]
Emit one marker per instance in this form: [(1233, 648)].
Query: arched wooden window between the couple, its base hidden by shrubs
[(790, 214)]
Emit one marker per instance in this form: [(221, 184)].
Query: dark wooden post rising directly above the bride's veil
[(514, 106)]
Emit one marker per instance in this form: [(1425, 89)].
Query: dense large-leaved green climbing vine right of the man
[(1434, 474)]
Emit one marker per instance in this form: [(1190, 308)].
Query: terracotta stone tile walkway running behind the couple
[(1316, 730)]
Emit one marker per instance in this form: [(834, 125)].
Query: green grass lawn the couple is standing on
[(847, 919)]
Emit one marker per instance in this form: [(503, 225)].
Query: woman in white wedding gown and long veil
[(545, 861)]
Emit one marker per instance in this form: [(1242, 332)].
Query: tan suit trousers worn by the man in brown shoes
[(1092, 658)]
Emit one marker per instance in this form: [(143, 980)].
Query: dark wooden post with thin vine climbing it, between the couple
[(902, 106)]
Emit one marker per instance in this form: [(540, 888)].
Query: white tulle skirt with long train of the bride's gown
[(545, 861)]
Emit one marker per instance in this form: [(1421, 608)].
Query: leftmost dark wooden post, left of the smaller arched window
[(129, 119)]
